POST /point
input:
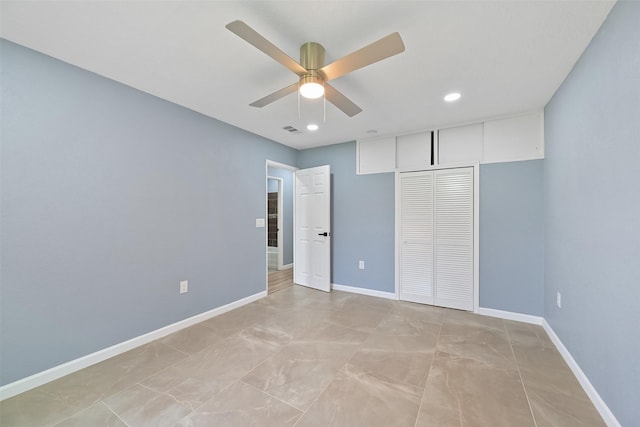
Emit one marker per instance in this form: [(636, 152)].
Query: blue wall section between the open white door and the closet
[(362, 222)]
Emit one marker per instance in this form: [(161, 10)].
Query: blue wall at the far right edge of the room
[(592, 211)]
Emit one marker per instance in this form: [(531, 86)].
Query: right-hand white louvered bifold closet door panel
[(453, 237)]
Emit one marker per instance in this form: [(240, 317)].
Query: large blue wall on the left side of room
[(110, 197)]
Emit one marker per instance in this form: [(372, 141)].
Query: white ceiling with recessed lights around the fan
[(505, 57)]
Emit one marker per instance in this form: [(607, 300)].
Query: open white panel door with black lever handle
[(312, 245)]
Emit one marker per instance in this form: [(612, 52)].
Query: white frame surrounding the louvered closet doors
[(476, 228)]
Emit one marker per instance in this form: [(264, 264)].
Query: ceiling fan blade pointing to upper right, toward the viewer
[(376, 51)]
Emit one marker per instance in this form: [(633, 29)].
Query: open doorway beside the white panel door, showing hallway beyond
[(279, 234)]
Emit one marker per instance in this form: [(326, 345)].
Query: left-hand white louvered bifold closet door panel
[(416, 237)]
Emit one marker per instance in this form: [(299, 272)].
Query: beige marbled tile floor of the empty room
[(306, 358)]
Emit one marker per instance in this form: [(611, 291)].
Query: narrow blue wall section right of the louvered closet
[(512, 237)]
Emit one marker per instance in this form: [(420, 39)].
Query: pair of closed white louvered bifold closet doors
[(436, 237)]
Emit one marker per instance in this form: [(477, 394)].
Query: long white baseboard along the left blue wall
[(36, 380)]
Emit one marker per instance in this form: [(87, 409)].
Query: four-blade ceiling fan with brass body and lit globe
[(313, 74)]
